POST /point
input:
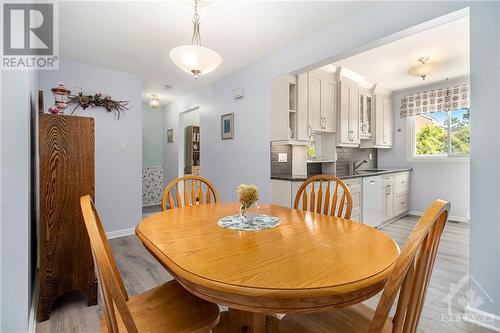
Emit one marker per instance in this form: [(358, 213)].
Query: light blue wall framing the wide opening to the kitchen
[(246, 158)]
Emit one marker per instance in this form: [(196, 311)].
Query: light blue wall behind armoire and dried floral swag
[(118, 142)]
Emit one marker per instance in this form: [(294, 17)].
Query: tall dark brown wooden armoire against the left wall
[(66, 167)]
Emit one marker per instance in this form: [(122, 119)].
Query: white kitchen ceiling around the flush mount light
[(387, 65)]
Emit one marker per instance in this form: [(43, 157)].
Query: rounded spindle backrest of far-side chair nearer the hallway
[(192, 186)]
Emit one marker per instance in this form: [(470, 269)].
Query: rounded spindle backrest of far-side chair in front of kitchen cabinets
[(338, 204)]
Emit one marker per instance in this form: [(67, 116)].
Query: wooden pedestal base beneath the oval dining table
[(237, 321)]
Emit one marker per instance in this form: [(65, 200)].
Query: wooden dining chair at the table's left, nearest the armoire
[(166, 308)]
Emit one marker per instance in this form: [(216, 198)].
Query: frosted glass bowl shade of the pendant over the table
[(195, 59)]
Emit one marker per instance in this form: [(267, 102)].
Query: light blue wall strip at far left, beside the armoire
[(16, 265)]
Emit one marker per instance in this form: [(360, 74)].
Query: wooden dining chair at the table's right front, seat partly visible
[(410, 276)]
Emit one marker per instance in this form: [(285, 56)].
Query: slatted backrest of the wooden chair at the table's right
[(412, 272)]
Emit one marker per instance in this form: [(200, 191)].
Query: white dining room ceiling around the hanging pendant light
[(136, 37)]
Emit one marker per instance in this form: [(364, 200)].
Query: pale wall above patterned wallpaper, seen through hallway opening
[(153, 136)]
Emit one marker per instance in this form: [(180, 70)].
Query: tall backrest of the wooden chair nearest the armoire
[(110, 282)]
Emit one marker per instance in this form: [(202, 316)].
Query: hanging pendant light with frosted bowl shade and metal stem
[(195, 58)]
